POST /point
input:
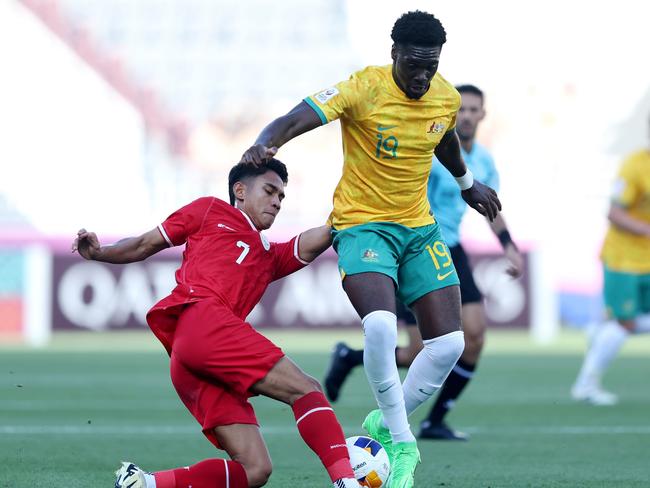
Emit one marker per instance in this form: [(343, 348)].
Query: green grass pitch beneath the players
[(71, 412)]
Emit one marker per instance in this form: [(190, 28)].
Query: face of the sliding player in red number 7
[(262, 198)]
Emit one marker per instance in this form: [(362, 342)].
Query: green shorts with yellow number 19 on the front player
[(417, 259)]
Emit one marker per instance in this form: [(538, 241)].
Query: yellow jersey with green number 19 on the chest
[(388, 143)]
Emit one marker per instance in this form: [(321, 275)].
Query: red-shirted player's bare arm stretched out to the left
[(127, 250)]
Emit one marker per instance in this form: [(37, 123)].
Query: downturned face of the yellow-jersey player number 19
[(414, 67)]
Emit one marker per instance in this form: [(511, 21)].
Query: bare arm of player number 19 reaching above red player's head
[(302, 118)]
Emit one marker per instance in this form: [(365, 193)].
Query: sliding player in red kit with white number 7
[(217, 359)]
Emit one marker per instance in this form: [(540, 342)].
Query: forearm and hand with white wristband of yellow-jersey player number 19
[(480, 197)]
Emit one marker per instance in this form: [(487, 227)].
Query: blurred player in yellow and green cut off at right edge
[(626, 263)]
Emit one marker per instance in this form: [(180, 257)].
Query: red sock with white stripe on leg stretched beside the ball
[(321, 431)]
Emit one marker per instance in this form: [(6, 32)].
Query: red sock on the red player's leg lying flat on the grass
[(211, 473)]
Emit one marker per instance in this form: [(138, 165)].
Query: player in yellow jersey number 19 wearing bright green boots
[(393, 119)]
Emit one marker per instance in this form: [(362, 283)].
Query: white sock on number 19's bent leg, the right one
[(431, 367)]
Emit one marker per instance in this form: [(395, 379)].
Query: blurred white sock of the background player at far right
[(605, 345)]
